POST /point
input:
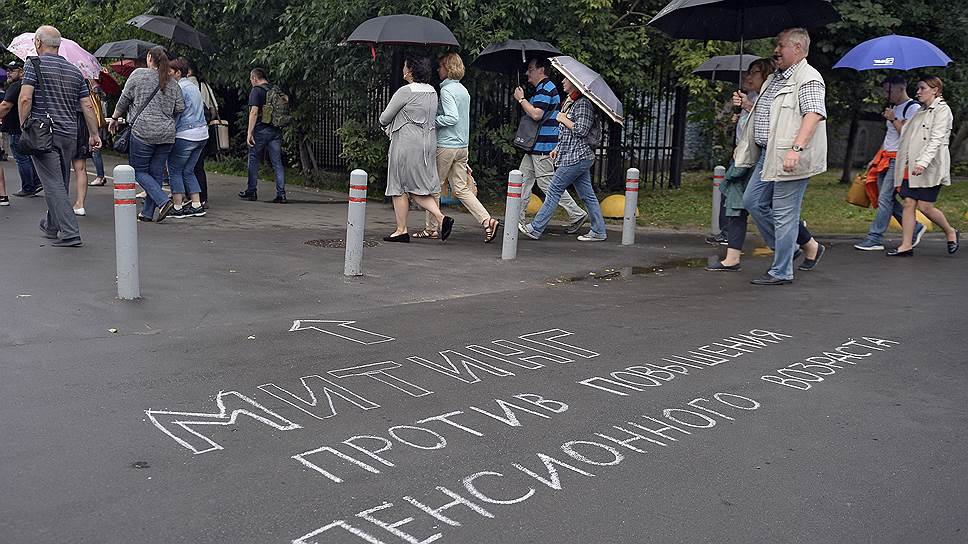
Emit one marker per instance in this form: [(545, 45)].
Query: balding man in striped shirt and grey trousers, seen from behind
[(61, 89)]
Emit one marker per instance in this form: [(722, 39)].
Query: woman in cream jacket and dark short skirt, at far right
[(924, 165)]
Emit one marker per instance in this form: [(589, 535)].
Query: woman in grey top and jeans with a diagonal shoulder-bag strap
[(153, 99)]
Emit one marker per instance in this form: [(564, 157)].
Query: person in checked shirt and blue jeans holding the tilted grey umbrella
[(573, 158)]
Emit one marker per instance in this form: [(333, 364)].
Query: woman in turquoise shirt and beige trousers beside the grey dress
[(453, 137)]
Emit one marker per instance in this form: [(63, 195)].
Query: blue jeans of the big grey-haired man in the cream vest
[(775, 208)]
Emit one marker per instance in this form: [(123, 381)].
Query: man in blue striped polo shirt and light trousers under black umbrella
[(536, 165)]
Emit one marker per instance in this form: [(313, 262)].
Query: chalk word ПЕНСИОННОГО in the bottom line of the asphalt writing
[(514, 484)]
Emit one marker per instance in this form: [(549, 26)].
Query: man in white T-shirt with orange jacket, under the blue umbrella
[(882, 166)]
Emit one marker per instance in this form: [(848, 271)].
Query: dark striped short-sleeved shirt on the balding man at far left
[(63, 88)]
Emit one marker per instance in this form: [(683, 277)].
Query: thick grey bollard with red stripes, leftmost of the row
[(126, 232)]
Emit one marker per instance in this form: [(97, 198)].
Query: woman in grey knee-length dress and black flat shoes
[(412, 166)]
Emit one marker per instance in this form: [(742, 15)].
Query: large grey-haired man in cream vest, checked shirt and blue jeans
[(787, 146)]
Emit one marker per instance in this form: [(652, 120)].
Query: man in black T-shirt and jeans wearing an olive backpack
[(263, 135)]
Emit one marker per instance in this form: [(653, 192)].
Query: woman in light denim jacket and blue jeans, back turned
[(191, 135)]
